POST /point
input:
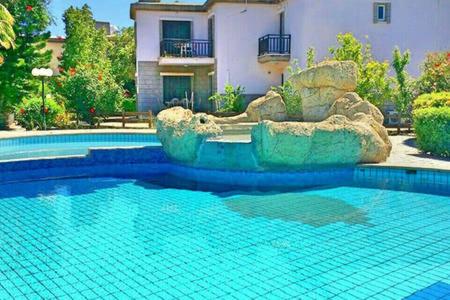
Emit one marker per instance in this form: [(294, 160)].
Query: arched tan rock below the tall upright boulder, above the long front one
[(351, 104)]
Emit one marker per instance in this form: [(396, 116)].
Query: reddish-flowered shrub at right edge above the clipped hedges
[(435, 73)]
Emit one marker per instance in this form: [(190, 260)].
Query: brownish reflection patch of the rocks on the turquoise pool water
[(313, 210)]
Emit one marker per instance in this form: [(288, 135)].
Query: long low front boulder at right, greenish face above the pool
[(336, 141)]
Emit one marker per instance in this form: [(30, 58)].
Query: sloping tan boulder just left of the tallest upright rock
[(269, 107)]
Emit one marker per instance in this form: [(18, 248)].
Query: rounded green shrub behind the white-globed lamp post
[(29, 113)]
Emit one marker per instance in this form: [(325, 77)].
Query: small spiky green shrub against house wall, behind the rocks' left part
[(231, 101)]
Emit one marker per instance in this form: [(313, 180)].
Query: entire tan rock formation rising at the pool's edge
[(349, 129)]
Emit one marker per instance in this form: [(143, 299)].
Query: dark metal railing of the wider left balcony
[(186, 48)]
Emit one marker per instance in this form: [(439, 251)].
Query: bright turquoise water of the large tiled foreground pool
[(127, 238)]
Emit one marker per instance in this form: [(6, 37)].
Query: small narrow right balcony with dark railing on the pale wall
[(274, 48)]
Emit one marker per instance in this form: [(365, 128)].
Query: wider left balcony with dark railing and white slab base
[(186, 52)]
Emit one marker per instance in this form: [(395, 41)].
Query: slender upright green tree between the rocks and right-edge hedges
[(403, 95)]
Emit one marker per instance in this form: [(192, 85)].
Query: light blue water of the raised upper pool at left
[(68, 145)]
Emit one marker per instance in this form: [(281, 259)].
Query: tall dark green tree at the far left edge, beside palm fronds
[(16, 82)]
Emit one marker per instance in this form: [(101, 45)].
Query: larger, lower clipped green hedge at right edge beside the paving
[(432, 126)]
